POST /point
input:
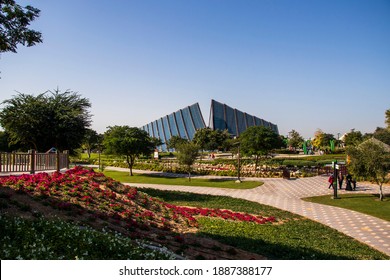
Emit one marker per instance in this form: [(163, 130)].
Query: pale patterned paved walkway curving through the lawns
[(288, 194)]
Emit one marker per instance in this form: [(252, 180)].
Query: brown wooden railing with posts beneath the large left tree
[(33, 161)]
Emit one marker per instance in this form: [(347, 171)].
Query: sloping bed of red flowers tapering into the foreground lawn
[(112, 200)]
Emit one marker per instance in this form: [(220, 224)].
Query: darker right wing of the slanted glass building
[(224, 117)]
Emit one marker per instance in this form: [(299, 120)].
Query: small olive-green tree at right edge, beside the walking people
[(371, 161)]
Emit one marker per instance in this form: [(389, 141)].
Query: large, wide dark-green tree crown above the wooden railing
[(51, 119)]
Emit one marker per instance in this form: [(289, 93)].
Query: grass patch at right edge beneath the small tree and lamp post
[(365, 203)]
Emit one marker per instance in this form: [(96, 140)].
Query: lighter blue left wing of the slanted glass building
[(184, 123)]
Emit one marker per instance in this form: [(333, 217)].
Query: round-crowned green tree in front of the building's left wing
[(130, 142)]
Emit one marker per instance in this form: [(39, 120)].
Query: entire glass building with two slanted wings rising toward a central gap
[(185, 122)]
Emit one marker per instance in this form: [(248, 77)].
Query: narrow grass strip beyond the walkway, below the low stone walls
[(124, 177)]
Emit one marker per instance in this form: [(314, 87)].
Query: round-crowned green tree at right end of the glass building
[(259, 141)]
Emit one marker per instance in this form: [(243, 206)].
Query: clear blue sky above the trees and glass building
[(302, 65)]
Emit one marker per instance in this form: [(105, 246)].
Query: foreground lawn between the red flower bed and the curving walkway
[(295, 237)]
